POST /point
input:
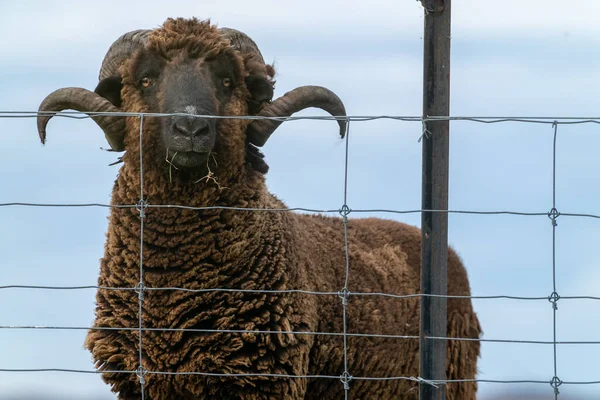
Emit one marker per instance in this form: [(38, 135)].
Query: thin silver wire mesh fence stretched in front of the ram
[(344, 293)]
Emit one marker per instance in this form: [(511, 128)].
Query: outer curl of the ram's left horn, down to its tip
[(83, 100)]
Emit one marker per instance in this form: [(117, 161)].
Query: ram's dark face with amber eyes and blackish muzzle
[(188, 87)]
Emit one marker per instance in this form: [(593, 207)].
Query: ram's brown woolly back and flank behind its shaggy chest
[(384, 257)]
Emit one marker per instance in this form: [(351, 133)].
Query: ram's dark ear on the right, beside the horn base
[(260, 84)]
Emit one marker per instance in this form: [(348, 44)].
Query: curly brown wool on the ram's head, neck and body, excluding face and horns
[(217, 248)]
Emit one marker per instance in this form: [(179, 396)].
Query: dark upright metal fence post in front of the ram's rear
[(434, 252)]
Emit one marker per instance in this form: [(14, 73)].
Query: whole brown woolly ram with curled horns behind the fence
[(192, 68)]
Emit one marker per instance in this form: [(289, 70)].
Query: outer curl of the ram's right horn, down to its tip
[(296, 100)]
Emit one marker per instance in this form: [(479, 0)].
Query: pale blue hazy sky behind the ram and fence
[(509, 58)]
